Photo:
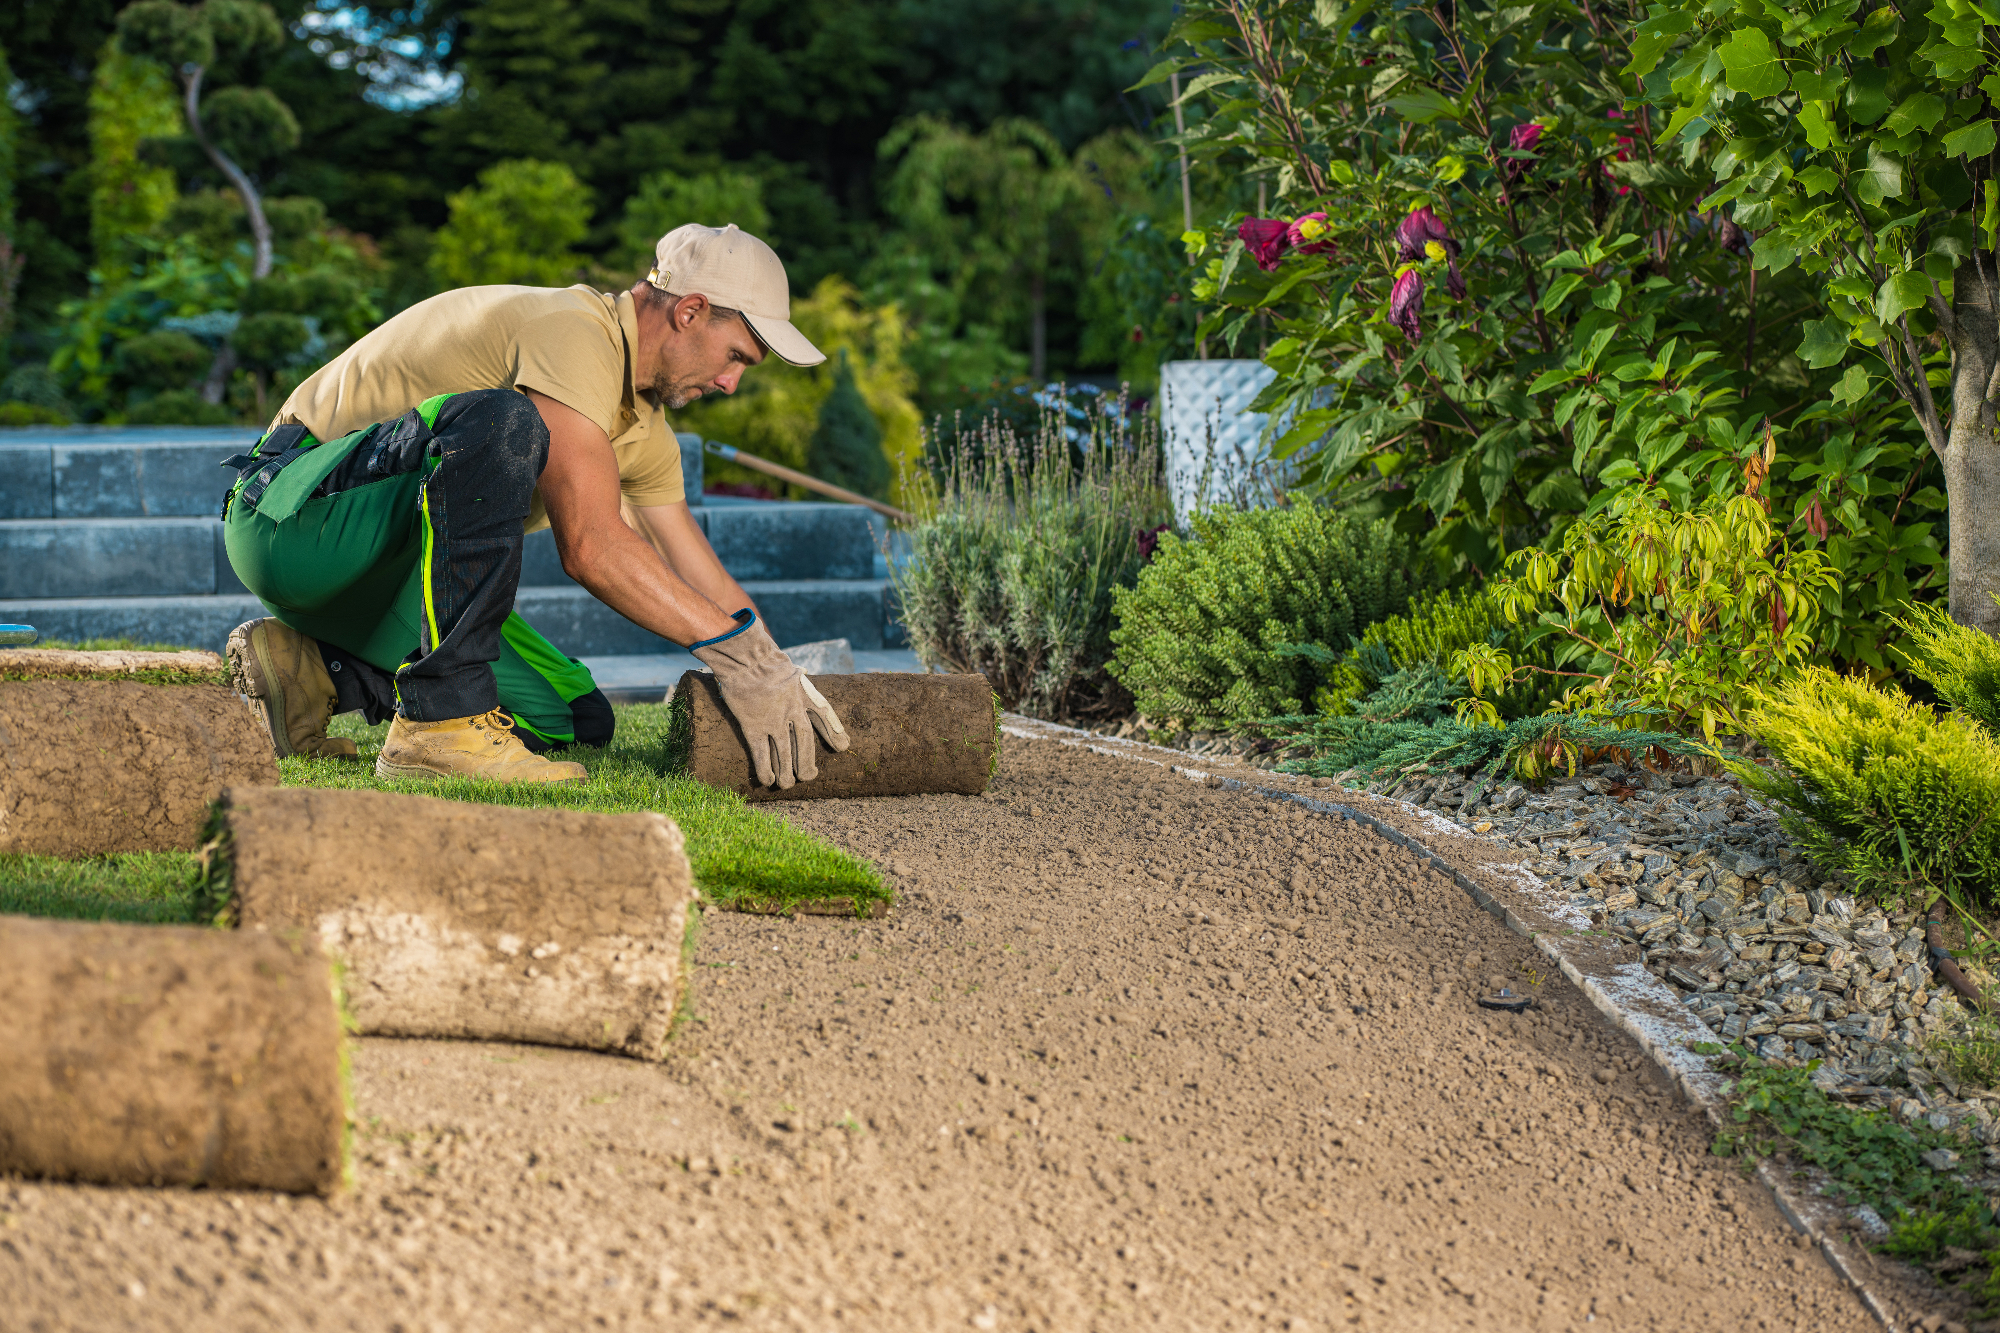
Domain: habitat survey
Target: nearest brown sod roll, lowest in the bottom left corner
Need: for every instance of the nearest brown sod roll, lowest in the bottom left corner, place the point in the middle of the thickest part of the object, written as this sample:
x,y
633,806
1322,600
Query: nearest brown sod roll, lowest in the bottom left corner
x,y
169,1056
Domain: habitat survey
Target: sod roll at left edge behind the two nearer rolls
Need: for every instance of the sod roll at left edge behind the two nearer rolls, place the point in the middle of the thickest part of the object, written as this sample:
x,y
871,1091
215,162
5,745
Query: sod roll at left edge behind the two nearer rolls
x,y
93,768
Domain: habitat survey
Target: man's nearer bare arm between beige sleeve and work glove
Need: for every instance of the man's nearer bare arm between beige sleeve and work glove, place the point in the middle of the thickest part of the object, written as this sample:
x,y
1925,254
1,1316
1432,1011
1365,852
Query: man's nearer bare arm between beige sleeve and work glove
x,y
599,551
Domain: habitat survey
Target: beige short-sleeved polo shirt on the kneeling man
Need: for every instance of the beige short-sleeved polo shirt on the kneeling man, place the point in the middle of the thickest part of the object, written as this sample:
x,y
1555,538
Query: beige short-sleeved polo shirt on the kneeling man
x,y
573,343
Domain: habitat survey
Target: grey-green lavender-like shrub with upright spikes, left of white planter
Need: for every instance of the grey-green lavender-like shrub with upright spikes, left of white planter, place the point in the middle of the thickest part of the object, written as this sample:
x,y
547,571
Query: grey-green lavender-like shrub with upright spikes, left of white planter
x,y
1019,551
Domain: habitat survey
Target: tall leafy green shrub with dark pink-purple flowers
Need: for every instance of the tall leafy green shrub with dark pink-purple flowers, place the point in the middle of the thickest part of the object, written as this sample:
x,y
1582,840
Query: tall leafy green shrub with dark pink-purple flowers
x,y
1513,301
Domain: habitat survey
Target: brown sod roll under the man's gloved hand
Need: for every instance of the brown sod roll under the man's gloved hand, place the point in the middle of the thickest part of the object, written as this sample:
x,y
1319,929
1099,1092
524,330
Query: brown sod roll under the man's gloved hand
x,y
909,736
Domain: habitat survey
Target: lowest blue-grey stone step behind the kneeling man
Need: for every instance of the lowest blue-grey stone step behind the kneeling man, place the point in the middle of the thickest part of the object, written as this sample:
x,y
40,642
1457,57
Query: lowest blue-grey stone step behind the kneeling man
x,y
797,609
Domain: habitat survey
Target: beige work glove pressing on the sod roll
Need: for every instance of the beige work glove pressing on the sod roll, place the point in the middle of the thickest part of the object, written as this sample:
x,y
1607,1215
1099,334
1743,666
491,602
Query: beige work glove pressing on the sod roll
x,y
773,702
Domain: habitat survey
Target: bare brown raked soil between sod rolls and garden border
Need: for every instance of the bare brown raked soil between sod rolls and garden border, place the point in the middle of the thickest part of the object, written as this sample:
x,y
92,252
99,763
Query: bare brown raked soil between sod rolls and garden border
x,y
1131,1054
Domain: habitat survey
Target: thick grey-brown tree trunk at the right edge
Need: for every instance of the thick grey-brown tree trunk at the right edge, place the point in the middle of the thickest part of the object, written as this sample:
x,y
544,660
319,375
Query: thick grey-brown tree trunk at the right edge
x,y
1973,451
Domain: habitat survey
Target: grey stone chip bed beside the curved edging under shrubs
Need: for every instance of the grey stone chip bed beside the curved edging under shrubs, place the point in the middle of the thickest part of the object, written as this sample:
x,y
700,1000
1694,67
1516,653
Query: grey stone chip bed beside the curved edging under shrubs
x,y
1719,904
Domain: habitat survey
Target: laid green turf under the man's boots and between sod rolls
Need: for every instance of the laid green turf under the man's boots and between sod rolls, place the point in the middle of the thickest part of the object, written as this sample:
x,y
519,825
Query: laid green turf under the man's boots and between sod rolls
x,y
739,856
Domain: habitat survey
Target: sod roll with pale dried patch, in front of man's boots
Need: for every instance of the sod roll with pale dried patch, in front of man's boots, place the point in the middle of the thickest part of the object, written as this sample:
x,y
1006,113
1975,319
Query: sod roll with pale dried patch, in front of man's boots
x,y
459,920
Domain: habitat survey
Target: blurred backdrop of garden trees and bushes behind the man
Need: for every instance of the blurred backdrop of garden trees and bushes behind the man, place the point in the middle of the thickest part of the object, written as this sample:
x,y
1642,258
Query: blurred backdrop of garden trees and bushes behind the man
x,y
965,191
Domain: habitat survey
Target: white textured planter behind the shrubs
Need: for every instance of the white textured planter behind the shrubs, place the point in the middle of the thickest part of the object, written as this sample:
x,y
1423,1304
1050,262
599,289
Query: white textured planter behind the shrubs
x,y
1215,447
